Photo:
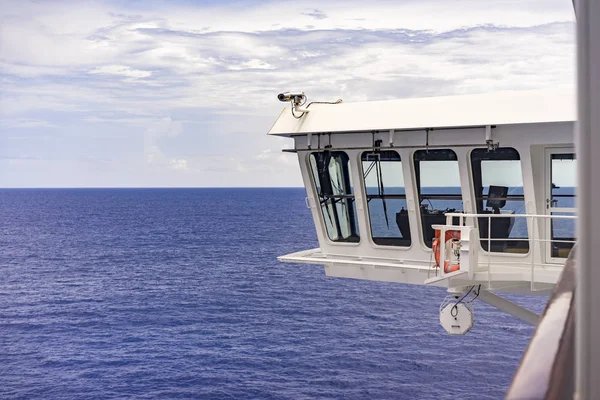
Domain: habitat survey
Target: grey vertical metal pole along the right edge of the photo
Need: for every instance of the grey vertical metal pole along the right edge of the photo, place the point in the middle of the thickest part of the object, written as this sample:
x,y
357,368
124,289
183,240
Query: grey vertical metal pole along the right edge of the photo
x,y
588,198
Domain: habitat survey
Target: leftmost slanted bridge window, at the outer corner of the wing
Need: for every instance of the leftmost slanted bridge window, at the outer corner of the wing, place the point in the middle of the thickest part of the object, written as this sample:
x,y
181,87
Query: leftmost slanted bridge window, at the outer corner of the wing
x,y
331,174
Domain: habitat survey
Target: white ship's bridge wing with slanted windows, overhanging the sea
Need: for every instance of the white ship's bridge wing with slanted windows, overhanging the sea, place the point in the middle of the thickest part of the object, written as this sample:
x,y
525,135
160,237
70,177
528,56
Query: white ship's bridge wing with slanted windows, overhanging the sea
x,y
472,193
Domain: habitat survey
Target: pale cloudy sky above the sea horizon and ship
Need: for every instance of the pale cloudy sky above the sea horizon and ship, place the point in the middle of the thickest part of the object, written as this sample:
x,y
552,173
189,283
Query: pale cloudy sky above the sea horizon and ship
x,y
182,93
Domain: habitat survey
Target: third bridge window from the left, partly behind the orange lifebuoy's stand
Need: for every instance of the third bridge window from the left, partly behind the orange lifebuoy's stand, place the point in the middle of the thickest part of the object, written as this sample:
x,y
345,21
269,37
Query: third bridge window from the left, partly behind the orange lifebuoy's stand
x,y
438,185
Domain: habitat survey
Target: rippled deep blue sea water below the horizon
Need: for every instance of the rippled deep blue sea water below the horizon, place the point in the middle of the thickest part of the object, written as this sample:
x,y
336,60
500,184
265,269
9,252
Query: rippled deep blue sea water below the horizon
x,y
177,293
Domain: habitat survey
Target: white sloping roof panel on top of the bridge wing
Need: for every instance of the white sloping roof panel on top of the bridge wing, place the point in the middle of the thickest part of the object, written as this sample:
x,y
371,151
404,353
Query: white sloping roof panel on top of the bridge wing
x,y
501,108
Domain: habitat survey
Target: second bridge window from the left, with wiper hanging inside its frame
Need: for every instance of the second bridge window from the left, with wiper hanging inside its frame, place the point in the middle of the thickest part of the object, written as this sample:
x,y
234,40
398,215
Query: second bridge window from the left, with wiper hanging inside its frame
x,y
386,199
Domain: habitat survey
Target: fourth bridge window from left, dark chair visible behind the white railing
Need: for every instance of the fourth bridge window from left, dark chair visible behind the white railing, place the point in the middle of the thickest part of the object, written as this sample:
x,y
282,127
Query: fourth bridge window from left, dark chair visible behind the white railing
x,y
498,186
